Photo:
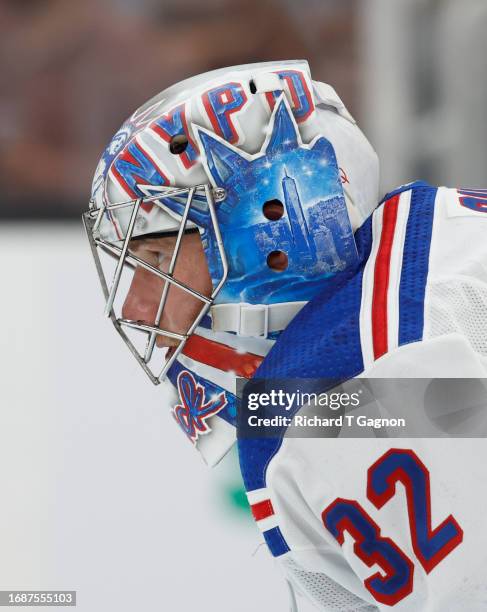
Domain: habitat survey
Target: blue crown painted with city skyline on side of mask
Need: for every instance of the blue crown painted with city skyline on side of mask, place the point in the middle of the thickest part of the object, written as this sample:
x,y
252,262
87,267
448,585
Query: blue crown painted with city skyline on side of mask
x,y
314,231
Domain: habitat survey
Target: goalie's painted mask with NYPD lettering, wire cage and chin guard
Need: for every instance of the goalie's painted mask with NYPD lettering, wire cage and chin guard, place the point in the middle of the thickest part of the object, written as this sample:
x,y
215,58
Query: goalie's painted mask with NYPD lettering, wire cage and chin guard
x,y
264,175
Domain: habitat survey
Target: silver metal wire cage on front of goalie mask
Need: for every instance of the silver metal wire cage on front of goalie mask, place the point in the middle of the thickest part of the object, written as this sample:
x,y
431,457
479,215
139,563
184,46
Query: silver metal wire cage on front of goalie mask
x,y
119,251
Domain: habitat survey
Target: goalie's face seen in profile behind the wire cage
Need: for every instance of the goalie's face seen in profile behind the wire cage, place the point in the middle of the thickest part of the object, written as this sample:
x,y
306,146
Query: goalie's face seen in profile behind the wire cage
x,y
181,308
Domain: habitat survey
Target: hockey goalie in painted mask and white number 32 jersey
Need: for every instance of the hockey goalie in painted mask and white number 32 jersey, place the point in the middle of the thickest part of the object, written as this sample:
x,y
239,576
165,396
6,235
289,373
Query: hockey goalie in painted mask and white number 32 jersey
x,y
240,214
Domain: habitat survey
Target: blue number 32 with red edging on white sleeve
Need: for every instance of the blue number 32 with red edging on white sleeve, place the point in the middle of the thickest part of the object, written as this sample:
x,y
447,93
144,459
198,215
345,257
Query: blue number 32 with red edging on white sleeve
x,y
430,545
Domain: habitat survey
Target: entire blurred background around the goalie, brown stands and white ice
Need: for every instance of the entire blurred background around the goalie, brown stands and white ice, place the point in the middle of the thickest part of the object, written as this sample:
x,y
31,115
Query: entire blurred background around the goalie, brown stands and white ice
x,y
100,492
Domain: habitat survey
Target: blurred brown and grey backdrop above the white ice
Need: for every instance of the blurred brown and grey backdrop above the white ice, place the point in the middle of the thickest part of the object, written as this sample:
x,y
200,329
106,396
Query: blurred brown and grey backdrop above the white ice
x,y
411,71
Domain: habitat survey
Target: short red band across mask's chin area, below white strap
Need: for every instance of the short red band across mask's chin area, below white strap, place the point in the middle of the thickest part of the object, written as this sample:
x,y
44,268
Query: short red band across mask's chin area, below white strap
x,y
221,356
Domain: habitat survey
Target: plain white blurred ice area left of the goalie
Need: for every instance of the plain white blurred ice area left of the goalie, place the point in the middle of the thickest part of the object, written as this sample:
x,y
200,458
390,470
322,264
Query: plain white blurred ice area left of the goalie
x,y
101,493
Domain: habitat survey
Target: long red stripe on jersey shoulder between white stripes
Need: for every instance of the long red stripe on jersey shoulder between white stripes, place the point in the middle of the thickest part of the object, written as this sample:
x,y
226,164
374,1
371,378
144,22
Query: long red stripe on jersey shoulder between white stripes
x,y
381,278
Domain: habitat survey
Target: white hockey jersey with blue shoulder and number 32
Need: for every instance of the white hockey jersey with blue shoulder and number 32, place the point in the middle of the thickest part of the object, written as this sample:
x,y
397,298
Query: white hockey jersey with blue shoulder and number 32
x,y
373,524
